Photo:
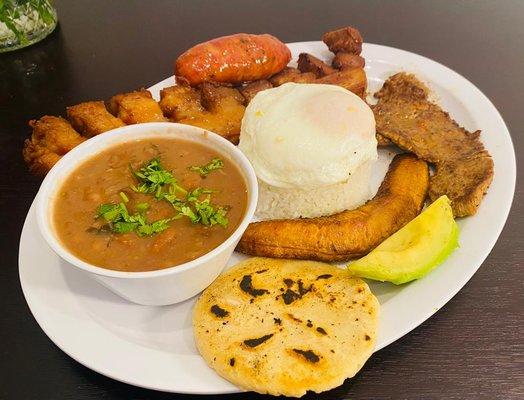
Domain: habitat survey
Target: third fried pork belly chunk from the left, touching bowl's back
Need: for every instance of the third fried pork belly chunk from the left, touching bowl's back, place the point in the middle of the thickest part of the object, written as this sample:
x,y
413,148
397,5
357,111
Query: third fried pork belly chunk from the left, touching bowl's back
x,y
135,107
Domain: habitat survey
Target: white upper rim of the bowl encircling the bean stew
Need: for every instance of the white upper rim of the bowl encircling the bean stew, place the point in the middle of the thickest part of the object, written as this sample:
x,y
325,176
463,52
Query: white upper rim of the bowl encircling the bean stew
x,y
81,153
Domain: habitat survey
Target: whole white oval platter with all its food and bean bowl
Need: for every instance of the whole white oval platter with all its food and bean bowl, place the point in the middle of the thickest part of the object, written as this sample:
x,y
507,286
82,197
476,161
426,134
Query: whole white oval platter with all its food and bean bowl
x,y
346,153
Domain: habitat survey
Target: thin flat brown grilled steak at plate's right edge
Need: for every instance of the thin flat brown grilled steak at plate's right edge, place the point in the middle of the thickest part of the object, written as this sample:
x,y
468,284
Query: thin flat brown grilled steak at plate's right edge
x,y
464,169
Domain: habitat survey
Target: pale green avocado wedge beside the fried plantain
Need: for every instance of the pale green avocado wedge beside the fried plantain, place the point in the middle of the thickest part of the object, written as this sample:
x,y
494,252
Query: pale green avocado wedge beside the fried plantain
x,y
414,250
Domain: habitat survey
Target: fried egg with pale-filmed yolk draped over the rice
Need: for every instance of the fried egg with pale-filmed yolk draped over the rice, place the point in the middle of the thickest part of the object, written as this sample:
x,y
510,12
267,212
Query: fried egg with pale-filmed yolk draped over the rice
x,y
307,135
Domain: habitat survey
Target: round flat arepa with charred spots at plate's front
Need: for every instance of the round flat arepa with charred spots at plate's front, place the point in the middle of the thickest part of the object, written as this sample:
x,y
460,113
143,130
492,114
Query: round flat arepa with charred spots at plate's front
x,y
286,327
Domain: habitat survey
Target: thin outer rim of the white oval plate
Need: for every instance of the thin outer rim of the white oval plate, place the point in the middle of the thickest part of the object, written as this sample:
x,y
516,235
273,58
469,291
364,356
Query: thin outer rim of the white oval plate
x,y
443,300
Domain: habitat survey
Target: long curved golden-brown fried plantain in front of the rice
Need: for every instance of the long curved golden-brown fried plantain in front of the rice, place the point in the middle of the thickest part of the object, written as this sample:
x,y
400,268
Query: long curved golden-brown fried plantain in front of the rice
x,y
351,233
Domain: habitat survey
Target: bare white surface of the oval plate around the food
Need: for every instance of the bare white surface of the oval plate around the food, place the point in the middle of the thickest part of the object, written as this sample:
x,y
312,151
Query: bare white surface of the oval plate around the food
x,y
153,347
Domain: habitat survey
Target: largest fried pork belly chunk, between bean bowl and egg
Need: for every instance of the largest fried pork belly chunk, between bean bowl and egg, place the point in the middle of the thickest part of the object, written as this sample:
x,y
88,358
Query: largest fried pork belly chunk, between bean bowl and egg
x,y
218,109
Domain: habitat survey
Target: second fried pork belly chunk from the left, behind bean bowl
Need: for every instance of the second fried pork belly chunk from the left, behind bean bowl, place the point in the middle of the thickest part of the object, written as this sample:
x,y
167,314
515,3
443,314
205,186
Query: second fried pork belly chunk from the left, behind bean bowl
x,y
92,118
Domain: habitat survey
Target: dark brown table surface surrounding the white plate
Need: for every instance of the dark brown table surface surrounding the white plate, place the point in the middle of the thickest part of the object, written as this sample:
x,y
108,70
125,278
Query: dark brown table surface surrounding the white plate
x,y
471,349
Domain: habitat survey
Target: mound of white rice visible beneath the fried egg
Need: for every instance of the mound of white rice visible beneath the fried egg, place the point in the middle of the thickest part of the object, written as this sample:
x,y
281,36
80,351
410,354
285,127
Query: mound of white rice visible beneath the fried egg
x,y
282,203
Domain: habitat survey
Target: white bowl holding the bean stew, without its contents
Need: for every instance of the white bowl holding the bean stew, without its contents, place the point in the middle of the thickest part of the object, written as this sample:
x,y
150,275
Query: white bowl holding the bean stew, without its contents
x,y
165,286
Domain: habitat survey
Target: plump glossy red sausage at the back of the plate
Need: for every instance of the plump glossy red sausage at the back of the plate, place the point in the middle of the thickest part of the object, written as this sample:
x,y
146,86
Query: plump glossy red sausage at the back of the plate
x,y
233,59
